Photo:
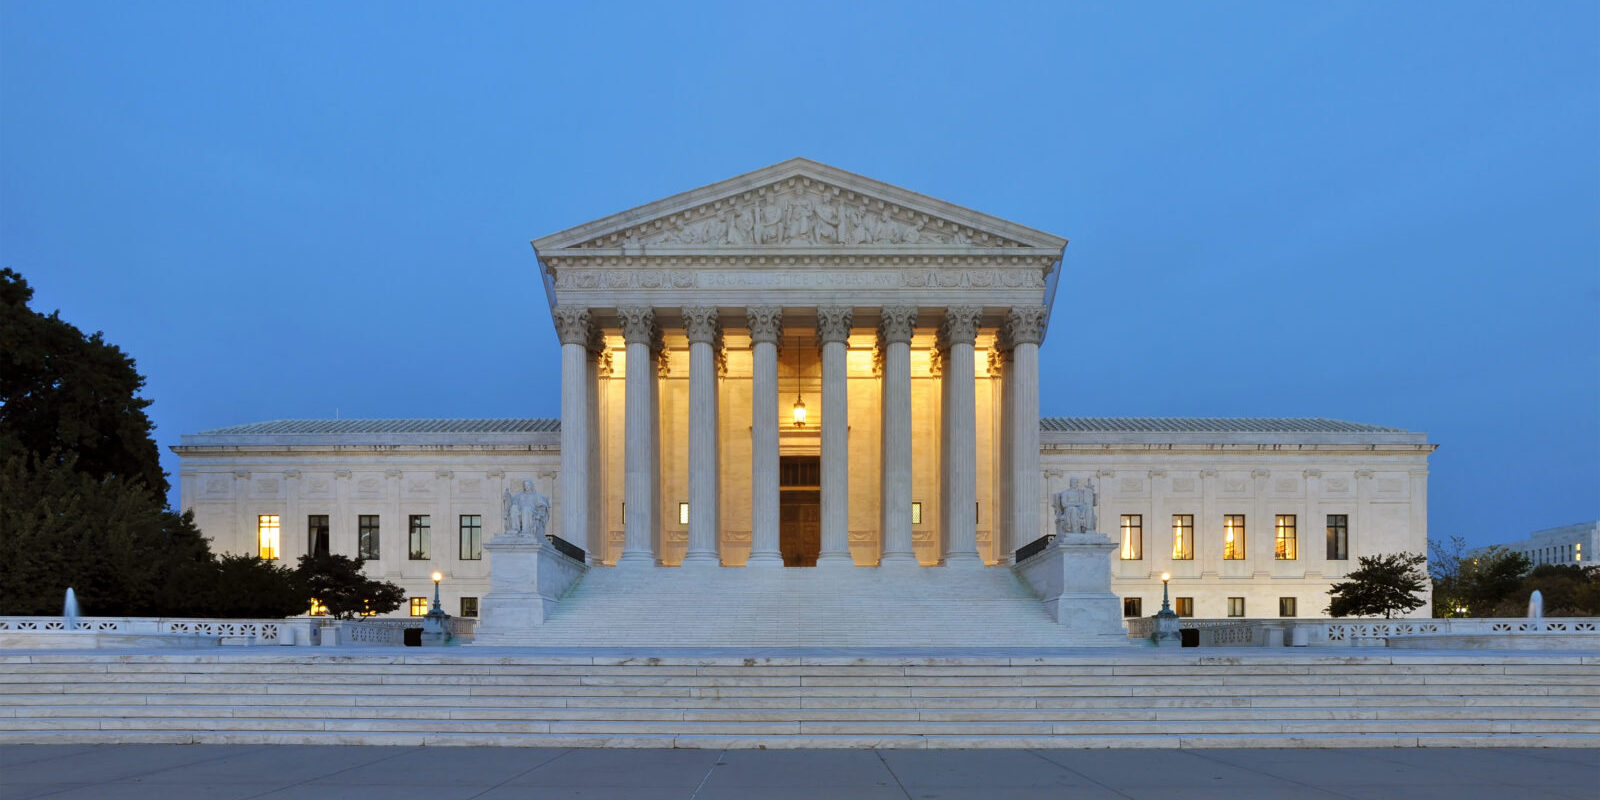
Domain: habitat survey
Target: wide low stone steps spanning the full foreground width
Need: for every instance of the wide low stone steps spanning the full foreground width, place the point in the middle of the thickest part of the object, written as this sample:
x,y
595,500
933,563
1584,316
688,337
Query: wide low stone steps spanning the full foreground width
x,y
572,698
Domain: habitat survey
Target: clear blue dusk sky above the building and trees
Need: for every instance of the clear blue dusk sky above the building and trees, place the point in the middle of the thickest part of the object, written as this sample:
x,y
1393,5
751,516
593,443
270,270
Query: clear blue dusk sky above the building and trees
x,y
1372,212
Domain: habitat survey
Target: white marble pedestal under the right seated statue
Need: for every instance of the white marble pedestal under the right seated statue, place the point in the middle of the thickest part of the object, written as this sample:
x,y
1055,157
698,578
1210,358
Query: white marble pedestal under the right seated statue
x,y
1073,578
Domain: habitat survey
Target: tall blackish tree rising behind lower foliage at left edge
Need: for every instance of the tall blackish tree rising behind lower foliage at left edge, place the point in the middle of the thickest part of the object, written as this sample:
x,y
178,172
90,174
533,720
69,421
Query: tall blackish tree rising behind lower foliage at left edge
x,y
65,396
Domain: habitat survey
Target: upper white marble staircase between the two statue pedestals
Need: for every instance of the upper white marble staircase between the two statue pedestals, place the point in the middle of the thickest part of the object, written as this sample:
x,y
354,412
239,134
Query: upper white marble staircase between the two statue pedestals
x,y
812,607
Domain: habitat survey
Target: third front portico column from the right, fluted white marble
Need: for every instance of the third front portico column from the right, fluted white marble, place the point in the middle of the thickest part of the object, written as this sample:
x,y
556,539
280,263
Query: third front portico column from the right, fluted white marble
x,y
895,330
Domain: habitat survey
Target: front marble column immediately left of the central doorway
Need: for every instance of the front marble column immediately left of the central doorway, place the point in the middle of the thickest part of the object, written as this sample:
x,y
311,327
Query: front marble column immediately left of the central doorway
x,y
767,327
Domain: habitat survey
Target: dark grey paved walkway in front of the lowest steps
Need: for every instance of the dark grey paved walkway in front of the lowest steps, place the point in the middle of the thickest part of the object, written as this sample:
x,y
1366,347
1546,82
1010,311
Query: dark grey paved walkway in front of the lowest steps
x,y
444,774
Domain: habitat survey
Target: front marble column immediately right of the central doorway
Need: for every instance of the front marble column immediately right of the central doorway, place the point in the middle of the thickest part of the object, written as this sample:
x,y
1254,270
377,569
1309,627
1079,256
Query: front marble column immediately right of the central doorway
x,y
833,332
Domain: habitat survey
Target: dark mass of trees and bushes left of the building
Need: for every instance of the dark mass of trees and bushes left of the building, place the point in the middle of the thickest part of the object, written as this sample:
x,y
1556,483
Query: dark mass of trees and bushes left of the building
x,y
84,497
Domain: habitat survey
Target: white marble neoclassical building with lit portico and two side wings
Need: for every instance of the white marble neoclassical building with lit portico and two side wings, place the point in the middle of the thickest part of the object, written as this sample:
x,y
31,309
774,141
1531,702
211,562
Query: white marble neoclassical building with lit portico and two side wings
x,y
807,369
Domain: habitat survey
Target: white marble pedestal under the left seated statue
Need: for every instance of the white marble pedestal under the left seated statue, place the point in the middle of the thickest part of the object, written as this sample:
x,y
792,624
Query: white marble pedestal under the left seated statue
x,y
527,578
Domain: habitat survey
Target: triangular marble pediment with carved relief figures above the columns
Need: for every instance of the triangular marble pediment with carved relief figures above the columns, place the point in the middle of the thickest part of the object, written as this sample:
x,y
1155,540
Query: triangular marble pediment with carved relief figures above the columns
x,y
798,206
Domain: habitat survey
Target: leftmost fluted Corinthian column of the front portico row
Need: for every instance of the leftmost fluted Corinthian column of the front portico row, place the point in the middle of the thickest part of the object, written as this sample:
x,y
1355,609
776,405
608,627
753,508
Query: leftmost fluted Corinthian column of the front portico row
x,y
572,326
